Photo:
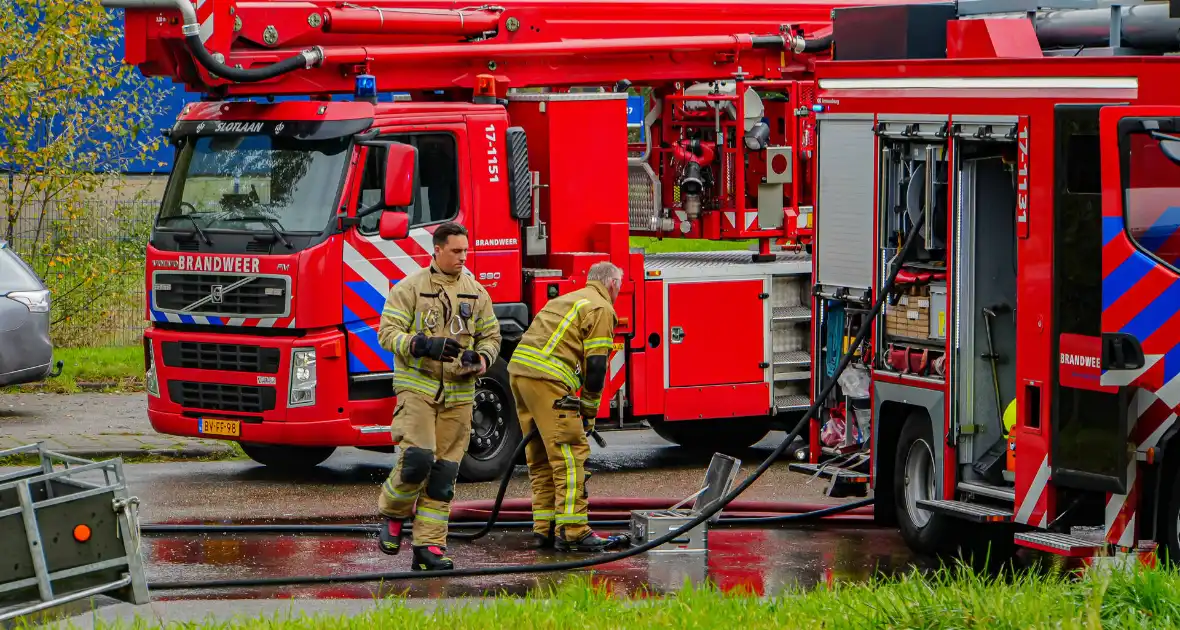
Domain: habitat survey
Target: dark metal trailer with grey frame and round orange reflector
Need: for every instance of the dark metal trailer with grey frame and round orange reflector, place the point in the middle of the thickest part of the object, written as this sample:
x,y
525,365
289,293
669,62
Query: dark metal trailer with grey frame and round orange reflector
x,y
65,537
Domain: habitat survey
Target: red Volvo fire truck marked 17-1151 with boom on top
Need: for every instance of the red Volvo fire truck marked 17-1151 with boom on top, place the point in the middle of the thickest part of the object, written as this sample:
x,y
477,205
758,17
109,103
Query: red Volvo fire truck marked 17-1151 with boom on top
x,y
278,238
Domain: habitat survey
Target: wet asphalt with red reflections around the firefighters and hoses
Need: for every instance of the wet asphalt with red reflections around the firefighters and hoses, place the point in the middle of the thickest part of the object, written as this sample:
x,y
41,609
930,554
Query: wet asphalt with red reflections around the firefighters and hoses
x,y
345,490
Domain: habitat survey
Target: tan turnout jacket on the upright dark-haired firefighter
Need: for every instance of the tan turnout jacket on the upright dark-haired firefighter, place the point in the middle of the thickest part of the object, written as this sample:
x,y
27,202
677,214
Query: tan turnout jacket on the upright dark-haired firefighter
x,y
438,305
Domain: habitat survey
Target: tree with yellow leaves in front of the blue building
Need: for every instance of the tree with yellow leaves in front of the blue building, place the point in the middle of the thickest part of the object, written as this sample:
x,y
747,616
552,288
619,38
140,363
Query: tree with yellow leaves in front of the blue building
x,y
73,117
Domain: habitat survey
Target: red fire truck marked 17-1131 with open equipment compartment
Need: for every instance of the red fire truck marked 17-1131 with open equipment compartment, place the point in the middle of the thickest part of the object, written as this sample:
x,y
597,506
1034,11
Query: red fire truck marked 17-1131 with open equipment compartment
x,y
1024,377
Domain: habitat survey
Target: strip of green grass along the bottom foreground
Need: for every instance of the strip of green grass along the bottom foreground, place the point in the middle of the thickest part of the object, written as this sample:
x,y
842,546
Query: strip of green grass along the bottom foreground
x,y
950,599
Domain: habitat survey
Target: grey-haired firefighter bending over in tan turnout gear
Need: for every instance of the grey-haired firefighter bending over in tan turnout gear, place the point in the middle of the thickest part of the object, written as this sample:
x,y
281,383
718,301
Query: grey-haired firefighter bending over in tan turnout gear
x,y
566,350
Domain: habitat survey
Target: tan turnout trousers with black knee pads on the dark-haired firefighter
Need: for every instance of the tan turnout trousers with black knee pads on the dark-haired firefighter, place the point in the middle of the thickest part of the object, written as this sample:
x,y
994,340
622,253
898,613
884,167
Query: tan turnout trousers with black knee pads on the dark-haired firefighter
x,y
434,441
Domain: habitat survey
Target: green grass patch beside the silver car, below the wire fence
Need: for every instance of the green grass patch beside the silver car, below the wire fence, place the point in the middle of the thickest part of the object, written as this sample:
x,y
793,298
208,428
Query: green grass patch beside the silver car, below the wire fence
x,y
117,369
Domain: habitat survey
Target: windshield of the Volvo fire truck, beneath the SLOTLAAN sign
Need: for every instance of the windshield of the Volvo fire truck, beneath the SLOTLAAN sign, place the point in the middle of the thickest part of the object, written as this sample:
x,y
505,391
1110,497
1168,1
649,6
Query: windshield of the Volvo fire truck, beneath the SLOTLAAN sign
x,y
254,182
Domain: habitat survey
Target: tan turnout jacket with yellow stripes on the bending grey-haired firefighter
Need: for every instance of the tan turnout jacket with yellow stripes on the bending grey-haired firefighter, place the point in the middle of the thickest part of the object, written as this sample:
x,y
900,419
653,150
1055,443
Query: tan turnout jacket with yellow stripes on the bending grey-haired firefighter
x,y
567,332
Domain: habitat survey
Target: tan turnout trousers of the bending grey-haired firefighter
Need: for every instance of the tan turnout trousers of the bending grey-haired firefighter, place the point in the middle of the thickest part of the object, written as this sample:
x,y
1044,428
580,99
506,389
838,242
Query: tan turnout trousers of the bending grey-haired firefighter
x,y
556,458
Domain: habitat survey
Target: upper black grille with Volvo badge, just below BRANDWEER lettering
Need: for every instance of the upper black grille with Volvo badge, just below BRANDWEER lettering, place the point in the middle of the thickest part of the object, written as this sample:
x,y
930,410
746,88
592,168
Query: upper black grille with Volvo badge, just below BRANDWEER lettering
x,y
222,294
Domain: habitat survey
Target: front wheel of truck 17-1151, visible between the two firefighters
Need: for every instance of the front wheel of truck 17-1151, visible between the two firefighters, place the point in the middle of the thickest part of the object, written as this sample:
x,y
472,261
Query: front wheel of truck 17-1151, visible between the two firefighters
x,y
495,429
